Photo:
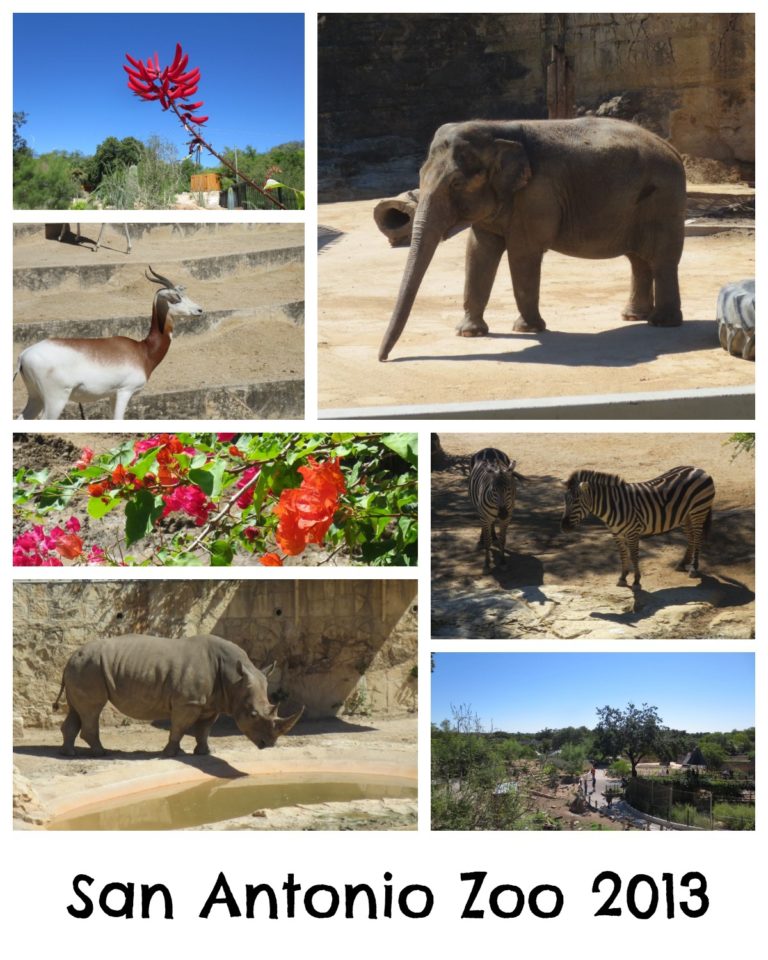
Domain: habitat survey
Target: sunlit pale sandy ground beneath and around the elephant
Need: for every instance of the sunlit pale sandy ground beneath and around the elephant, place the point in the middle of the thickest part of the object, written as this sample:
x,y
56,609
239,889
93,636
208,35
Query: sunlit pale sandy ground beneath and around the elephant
x,y
587,348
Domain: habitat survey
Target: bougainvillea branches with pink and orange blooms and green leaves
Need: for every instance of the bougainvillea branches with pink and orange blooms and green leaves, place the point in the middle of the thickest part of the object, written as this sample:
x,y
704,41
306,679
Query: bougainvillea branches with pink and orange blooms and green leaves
x,y
181,499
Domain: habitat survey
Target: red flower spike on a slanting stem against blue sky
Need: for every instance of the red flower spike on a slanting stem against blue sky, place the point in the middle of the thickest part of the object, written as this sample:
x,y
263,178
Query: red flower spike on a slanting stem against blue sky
x,y
173,86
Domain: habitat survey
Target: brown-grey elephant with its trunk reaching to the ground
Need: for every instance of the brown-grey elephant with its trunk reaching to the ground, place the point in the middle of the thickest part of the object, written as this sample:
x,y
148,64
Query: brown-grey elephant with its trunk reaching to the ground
x,y
593,188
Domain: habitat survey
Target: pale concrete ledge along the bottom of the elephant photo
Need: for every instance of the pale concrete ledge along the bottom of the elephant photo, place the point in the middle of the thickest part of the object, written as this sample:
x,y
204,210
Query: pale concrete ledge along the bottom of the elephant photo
x,y
707,403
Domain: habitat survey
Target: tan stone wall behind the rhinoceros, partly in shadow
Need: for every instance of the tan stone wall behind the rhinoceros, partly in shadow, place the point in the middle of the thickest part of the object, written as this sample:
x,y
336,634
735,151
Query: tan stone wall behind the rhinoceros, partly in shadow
x,y
340,645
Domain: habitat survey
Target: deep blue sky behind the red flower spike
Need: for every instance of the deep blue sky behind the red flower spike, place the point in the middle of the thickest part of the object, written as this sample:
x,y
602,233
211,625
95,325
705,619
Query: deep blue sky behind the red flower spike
x,y
252,77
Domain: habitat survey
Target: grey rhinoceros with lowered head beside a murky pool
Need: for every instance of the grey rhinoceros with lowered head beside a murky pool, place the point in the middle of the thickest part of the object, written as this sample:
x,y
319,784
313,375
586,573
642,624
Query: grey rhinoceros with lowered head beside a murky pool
x,y
188,681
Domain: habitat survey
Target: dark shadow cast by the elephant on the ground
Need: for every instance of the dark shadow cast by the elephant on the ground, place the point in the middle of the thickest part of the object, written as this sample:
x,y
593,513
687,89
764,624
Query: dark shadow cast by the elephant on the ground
x,y
628,345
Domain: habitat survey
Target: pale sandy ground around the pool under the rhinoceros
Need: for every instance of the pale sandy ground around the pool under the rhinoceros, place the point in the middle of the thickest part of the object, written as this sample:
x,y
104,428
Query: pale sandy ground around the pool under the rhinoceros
x,y
47,784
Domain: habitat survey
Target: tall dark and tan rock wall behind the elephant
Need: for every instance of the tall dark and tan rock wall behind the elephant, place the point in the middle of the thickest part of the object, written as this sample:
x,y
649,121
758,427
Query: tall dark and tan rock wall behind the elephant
x,y
387,81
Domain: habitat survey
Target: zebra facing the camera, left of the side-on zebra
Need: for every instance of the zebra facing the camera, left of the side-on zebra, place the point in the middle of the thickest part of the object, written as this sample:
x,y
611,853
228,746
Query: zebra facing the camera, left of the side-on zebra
x,y
492,491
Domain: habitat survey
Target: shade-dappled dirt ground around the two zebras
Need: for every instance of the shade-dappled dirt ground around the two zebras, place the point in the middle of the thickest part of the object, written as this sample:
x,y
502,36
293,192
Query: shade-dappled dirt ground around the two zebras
x,y
558,585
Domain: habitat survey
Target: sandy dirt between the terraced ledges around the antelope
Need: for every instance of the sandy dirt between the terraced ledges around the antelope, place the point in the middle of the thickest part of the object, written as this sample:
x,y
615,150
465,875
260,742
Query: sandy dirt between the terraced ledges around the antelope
x,y
256,343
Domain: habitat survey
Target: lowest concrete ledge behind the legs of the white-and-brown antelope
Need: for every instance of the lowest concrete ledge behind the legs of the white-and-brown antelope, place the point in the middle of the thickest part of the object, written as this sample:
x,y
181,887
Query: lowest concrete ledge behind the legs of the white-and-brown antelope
x,y
273,400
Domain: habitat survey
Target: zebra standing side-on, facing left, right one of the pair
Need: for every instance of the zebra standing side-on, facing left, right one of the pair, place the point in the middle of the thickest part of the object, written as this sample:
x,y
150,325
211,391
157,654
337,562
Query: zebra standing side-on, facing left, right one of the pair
x,y
681,497
